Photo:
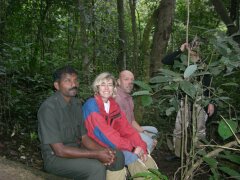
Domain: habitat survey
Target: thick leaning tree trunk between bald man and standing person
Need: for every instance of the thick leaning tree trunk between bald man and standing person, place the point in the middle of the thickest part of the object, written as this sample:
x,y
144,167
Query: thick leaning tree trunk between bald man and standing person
x,y
161,35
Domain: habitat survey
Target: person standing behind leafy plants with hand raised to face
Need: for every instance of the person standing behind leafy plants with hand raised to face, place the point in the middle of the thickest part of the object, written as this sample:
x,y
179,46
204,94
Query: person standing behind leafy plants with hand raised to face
x,y
203,113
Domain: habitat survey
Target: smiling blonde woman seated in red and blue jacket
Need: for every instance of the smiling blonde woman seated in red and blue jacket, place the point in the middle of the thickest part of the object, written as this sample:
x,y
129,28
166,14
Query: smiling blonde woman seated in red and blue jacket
x,y
107,125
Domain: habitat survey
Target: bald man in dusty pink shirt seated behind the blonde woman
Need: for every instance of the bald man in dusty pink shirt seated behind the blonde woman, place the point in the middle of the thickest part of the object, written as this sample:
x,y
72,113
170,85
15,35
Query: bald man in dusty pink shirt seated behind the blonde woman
x,y
125,101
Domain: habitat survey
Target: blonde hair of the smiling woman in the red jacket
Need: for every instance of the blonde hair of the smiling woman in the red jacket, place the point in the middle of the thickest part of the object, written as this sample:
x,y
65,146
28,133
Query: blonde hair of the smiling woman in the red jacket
x,y
100,78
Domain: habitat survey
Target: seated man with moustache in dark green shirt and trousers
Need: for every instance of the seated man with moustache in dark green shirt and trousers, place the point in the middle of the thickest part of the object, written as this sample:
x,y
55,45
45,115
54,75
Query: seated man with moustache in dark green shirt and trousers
x,y
66,148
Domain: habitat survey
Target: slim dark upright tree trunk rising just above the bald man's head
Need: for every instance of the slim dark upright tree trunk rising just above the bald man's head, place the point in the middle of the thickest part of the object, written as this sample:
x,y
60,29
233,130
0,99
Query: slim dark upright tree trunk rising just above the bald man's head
x,y
121,59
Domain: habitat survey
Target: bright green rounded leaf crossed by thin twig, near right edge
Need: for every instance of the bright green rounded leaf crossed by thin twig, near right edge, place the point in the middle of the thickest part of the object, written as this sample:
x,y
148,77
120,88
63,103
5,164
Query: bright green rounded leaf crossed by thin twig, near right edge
x,y
224,129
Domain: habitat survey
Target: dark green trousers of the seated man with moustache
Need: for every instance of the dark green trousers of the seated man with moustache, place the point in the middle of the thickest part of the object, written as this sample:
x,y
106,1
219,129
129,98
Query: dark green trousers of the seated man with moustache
x,y
83,168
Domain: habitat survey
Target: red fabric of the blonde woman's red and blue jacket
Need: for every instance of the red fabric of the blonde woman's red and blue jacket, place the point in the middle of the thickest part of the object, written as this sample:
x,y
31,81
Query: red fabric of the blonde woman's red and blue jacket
x,y
114,126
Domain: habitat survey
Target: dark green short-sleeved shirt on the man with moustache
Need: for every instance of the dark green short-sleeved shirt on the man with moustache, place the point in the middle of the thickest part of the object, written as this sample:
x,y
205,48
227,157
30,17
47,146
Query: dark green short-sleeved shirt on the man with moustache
x,y
59,122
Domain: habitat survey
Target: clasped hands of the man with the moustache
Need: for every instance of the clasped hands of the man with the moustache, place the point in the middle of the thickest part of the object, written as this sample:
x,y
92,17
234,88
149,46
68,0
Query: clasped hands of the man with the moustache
x,y
106,156
